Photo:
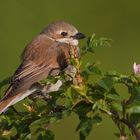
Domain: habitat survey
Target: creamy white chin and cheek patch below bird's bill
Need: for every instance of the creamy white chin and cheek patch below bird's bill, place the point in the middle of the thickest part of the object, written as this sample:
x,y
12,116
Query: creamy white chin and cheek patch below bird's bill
x,y
70,41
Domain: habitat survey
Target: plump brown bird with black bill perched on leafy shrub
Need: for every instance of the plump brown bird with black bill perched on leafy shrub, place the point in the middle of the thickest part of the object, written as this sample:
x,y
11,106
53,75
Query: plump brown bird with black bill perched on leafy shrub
x,y
48,51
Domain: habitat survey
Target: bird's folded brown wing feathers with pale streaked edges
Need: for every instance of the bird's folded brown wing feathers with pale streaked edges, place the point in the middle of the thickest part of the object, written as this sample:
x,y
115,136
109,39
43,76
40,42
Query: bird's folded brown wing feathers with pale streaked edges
x,y
25,76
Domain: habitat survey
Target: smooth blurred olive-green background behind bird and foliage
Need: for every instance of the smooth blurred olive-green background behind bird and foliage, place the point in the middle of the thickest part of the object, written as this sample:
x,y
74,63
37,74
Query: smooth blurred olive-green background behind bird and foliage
x,y
22,20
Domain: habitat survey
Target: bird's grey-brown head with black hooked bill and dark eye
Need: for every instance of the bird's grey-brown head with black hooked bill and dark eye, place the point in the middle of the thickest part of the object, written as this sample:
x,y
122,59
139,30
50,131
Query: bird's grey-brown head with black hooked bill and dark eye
x,y
63,32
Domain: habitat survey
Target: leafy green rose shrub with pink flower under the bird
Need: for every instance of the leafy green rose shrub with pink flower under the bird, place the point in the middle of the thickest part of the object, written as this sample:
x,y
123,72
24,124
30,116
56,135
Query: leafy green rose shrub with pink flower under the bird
x,y
79,94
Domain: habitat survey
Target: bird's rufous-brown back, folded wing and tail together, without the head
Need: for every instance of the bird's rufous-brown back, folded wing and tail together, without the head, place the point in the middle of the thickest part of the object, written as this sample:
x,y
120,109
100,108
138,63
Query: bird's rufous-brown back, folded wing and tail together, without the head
x,y
39,58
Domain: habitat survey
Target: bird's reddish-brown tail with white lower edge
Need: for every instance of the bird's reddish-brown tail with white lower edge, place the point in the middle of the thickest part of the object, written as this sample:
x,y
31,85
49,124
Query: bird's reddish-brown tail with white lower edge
x,y
7,102
